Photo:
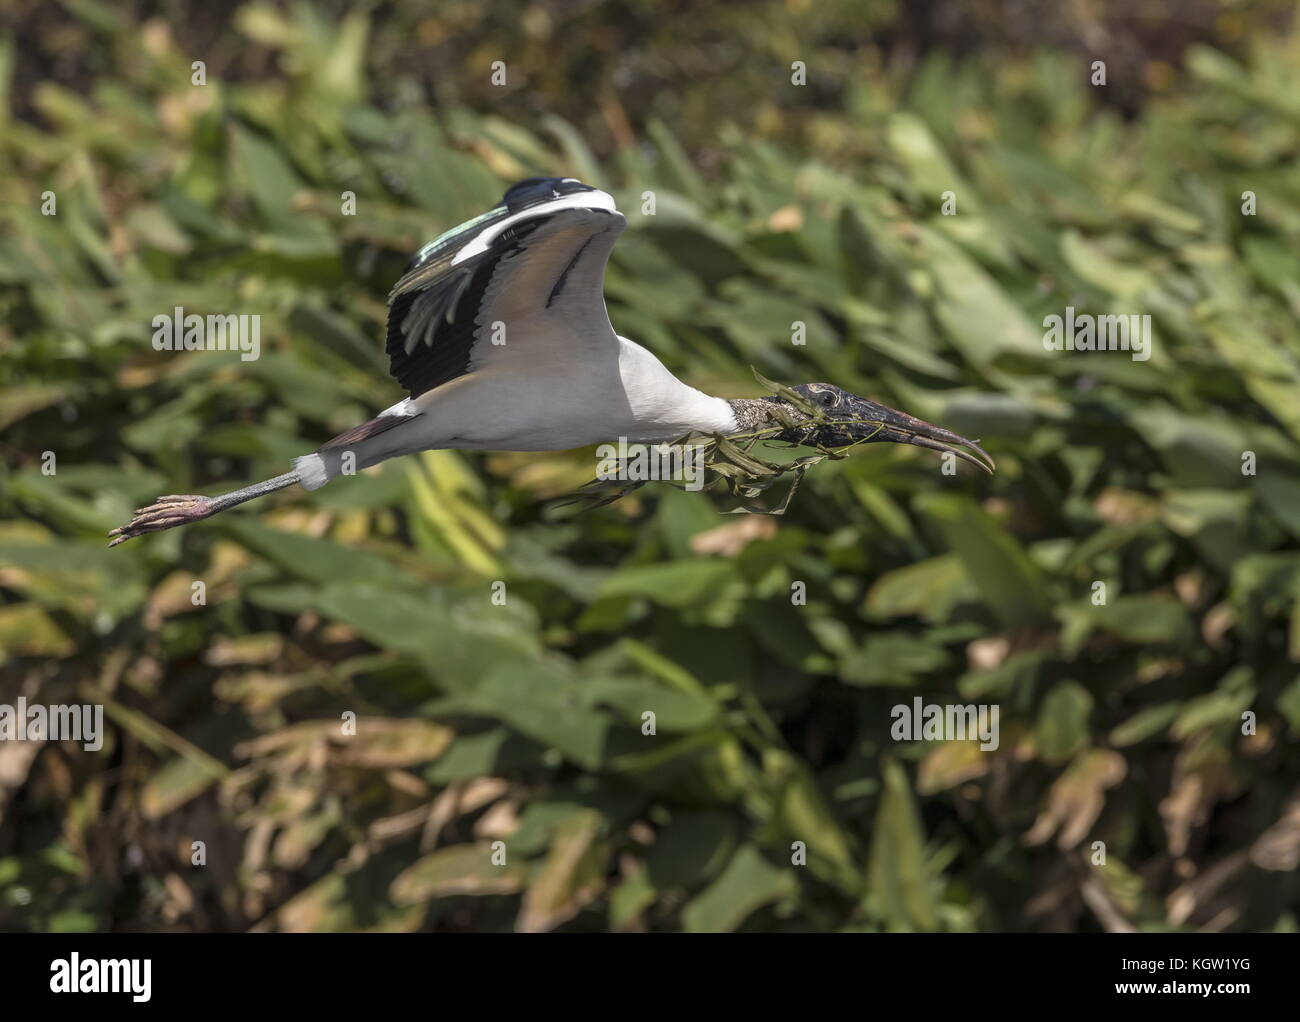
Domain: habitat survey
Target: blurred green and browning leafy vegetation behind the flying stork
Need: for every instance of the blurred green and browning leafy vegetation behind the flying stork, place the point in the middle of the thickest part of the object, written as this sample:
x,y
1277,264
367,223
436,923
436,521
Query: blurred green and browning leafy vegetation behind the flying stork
x,y
777,203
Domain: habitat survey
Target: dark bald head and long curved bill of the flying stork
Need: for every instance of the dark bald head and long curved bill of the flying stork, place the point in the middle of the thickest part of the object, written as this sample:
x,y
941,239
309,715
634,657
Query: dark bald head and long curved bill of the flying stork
x,y
824,415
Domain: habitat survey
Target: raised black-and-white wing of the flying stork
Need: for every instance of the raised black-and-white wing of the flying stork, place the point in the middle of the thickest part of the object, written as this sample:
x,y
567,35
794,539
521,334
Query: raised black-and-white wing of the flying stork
x,y
544,248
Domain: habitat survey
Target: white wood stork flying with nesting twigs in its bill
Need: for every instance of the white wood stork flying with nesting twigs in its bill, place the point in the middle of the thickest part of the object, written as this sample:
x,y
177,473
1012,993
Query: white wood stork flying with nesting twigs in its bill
x,y
500,334
